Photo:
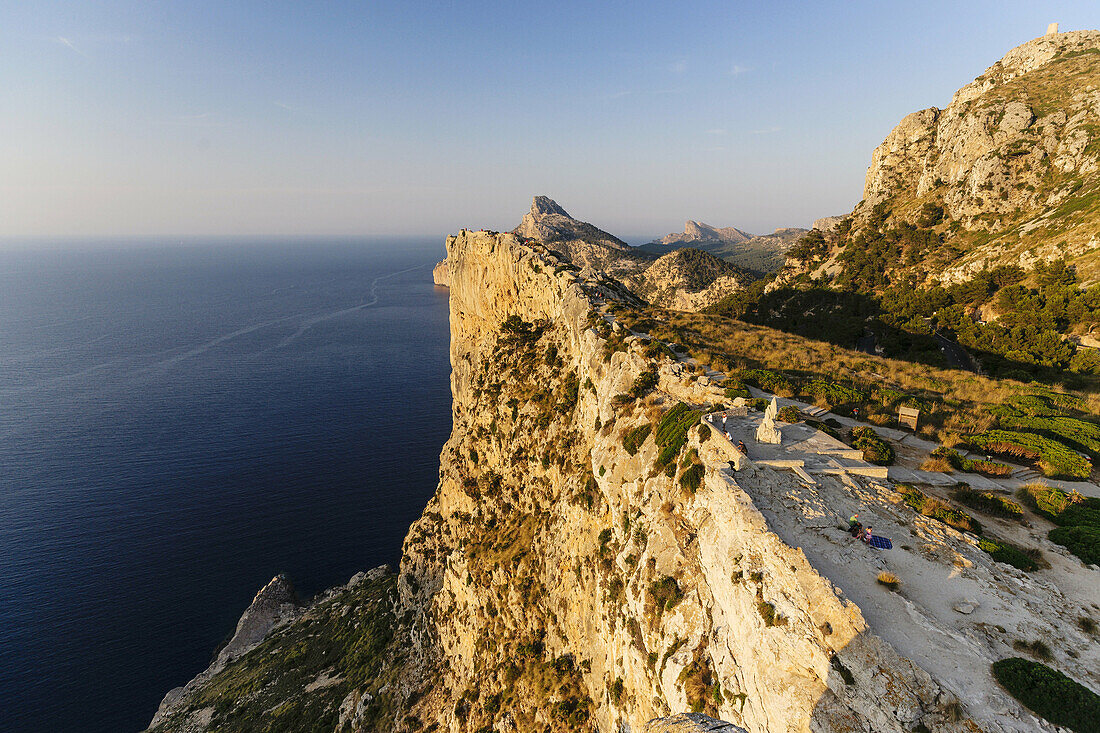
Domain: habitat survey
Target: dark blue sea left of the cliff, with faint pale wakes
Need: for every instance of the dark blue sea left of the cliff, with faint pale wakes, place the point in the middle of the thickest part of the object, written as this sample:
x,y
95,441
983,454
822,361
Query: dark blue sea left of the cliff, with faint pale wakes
x,y
180,422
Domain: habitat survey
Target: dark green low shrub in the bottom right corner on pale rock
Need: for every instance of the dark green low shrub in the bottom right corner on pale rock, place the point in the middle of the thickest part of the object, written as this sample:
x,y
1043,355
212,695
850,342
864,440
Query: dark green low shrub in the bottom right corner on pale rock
x,y
1050,694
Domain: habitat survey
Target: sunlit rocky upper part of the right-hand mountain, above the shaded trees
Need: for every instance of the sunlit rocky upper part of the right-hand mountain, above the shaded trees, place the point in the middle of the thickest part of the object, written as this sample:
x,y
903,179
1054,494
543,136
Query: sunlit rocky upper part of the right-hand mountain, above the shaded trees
x,y
1014,165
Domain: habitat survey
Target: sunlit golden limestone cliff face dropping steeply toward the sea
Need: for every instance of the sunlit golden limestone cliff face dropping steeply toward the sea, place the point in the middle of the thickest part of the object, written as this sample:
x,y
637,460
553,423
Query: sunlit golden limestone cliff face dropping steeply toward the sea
x,y
549,541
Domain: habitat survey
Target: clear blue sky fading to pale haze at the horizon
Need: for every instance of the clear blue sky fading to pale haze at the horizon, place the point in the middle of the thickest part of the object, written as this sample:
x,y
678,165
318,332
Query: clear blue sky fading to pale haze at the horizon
x,y
421,118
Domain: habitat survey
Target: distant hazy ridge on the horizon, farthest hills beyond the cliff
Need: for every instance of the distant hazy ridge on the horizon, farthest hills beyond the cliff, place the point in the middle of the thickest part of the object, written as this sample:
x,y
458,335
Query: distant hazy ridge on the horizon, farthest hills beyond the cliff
x,y
754,254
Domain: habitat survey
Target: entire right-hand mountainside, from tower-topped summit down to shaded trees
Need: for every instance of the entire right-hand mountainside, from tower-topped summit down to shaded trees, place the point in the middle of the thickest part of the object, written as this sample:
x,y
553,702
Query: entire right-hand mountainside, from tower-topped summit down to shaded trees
x,y
980,227
